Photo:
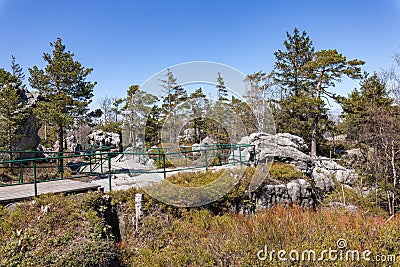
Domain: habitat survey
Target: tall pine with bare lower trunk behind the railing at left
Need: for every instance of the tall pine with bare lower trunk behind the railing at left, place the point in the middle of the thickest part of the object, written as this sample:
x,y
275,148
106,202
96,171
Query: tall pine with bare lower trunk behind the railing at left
x,y
63,84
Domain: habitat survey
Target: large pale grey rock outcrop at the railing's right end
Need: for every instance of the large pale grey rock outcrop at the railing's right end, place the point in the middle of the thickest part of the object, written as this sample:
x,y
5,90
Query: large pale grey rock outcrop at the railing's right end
x,y
291,149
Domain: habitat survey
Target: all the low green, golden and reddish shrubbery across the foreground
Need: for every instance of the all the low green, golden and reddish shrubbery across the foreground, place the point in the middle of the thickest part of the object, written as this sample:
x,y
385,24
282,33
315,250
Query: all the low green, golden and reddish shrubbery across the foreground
x,y
83,230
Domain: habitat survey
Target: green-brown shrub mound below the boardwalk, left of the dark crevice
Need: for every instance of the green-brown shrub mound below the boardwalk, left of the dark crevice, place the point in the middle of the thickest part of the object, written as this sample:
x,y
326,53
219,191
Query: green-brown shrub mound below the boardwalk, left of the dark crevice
x,y
57,231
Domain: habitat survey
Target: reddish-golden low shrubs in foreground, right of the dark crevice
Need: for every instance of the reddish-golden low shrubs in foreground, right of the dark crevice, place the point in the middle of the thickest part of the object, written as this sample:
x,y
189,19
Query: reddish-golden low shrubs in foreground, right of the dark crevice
x,y
198,238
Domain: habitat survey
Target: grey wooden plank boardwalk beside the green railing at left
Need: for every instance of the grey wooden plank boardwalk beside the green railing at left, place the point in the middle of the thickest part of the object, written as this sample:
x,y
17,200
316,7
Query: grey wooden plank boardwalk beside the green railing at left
x,y
25,191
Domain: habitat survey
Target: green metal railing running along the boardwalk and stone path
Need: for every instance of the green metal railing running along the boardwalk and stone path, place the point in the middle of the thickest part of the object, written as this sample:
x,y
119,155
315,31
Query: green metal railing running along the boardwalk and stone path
x,y
91,160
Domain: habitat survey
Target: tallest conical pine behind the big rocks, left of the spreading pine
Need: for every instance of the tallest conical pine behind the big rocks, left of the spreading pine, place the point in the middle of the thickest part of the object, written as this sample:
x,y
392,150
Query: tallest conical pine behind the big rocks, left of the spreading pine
x,y
293,107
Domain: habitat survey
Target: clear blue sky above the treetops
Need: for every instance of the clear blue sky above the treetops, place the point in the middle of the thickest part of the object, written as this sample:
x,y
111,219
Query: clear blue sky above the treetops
x,y
128,41
